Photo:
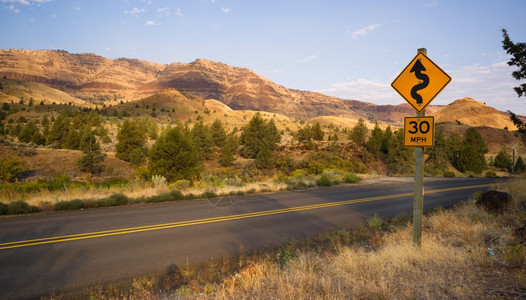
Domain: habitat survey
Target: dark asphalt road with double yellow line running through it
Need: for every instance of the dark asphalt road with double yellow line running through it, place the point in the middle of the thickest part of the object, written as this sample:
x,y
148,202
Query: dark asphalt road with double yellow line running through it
x,y
64,251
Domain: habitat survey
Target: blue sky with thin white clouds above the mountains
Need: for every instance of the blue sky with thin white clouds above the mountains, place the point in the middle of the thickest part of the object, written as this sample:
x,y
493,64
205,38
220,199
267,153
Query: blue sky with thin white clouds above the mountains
x,y
349,49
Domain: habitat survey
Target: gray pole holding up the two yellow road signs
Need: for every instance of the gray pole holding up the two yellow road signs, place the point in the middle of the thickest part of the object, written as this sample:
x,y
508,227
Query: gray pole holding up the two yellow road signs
x,y
418,201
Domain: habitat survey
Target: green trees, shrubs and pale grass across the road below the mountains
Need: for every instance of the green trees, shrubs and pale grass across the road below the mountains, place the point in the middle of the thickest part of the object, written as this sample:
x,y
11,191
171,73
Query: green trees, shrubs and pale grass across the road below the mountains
x,y
128,152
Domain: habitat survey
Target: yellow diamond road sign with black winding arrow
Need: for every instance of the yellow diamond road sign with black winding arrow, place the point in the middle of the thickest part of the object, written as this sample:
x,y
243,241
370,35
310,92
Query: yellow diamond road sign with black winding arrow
x,y
420,82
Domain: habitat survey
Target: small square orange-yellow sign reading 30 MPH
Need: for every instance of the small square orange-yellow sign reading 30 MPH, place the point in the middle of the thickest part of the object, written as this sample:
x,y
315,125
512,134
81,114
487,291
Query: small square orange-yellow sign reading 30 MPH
x,y
419,131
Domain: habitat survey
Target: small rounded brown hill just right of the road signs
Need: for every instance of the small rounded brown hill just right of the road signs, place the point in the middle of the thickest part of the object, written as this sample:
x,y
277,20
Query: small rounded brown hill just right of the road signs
x,y
473,113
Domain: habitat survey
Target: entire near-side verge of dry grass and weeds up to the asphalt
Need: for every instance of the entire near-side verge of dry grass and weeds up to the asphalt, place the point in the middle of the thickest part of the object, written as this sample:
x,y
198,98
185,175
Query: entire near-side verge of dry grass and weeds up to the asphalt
x,y
467,252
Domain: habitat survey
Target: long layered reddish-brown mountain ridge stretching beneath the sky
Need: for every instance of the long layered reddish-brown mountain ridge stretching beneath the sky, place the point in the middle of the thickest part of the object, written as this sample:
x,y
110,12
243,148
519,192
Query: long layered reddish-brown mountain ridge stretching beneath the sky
x,y
96,79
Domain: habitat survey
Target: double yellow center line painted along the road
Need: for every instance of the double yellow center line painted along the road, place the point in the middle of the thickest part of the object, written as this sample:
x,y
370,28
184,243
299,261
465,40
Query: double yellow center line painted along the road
x,y
91,235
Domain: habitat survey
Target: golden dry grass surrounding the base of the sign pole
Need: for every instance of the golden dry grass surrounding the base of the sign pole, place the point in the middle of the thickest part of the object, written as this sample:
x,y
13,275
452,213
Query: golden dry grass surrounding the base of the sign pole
x,y
453,262
